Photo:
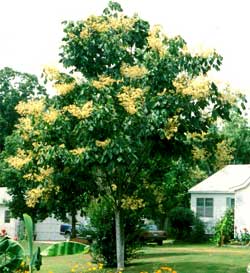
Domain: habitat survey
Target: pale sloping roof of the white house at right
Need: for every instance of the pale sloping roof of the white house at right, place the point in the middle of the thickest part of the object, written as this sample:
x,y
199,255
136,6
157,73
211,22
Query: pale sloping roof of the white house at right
x,y
227,180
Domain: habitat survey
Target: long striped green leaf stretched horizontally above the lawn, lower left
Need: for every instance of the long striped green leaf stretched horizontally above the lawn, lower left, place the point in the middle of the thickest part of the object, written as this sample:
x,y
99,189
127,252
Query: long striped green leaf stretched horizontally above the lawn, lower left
x,y
65,248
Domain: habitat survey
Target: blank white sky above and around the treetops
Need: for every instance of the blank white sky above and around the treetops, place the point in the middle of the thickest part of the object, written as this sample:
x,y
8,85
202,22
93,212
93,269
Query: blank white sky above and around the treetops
x,y
31,30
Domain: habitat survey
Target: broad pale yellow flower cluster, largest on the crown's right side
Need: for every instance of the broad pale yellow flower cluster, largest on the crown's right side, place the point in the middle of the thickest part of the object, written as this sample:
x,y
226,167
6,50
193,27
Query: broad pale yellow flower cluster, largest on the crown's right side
x,y
198,87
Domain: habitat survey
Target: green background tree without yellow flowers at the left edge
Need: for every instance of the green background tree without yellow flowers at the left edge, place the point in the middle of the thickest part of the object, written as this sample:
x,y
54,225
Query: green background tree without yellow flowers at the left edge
x,y
14,87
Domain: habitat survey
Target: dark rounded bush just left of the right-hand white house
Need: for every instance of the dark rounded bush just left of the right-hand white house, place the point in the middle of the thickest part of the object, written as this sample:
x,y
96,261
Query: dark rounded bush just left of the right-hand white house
x,y
184,226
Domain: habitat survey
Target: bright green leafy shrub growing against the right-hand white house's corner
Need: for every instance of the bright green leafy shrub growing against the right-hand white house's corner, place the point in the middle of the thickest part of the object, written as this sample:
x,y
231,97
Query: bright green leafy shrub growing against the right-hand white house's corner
x,y
224,228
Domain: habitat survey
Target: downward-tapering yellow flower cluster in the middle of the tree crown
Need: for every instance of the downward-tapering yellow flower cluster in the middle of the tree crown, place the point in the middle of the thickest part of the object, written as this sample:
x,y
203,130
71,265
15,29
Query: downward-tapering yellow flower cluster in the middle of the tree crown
x,y
128,98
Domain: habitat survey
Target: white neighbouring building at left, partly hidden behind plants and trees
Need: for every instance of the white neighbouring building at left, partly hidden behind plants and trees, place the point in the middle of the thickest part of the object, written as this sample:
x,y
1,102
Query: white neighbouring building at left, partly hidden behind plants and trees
x,y
47,230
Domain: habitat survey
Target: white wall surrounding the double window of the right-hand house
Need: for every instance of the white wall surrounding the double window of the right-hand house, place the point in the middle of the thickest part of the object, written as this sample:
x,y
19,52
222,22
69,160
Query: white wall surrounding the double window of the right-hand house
x,y
219,208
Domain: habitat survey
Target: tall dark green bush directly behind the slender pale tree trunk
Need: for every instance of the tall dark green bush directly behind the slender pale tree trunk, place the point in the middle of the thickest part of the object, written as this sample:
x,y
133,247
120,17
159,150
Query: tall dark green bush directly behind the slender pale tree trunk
x,y
103,248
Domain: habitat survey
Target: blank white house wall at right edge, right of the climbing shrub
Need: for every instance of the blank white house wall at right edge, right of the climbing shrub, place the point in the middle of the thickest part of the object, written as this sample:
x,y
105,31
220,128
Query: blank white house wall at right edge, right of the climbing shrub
x,y
242,209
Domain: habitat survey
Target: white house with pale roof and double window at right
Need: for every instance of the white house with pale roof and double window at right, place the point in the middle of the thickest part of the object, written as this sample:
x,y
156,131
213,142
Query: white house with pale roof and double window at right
x,y
227,188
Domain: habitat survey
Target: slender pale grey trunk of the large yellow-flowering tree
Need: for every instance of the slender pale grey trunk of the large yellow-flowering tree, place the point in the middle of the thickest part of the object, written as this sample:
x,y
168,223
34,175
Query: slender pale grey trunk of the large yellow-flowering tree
x,y
120,247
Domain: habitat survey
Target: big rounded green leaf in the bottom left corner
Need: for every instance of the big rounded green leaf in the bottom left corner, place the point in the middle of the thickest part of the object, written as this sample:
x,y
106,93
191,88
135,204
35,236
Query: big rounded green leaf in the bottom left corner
x,y
11,254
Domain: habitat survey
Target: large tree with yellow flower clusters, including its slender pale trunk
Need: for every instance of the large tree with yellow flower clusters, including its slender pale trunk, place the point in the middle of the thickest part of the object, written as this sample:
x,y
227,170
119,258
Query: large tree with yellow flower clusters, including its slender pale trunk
x,y
138,89
